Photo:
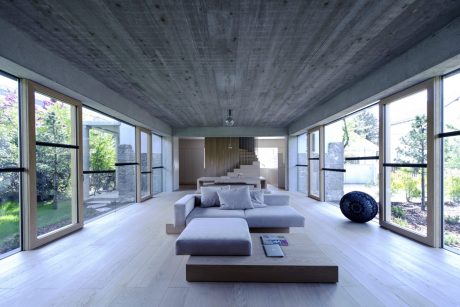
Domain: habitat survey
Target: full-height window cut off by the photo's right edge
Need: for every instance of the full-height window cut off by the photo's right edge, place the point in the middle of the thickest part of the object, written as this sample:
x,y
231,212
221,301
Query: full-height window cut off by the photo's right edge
x,y
451,161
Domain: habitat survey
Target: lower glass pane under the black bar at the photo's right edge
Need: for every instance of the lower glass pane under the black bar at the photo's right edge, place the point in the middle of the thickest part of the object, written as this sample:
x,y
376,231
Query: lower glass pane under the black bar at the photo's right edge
x,y
451,180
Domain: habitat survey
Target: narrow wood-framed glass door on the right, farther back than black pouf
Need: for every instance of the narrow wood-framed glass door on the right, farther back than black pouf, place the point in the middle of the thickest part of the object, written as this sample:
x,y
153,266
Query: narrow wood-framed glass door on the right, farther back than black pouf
x,y
314,163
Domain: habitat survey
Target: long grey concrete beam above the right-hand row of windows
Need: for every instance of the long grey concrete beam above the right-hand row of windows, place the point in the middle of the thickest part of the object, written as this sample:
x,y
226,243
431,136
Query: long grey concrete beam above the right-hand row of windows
x,y
436,55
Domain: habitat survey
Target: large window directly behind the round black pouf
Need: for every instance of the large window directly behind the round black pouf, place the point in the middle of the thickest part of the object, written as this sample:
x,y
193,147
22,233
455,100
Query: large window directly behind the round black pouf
x,y
351,155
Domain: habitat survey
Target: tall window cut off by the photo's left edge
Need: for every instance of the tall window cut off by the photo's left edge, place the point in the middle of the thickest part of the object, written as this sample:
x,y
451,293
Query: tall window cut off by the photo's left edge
x,y
10,170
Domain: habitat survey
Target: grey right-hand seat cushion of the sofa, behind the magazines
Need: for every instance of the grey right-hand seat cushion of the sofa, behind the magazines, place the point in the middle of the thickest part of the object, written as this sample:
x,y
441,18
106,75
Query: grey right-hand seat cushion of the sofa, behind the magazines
x,y
274,216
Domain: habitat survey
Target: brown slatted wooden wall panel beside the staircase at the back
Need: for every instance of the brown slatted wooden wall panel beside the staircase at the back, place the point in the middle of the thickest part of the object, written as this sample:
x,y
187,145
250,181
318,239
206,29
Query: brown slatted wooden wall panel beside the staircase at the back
x,y
219,158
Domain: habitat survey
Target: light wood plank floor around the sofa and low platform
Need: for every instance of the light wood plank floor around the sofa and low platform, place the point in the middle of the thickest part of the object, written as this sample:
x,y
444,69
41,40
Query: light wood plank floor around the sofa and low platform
x,y
126,259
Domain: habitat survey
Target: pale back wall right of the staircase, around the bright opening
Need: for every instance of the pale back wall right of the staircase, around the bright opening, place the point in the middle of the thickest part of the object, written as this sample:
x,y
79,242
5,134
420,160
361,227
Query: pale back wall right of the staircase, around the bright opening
x,y
278,176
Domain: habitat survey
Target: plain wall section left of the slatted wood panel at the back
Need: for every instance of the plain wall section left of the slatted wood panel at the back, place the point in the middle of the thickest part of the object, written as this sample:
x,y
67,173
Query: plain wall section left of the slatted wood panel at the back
x,y
191,160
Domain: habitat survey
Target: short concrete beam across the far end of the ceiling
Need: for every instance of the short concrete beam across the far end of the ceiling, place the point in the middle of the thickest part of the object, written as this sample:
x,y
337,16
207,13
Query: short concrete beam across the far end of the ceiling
x,y
229,131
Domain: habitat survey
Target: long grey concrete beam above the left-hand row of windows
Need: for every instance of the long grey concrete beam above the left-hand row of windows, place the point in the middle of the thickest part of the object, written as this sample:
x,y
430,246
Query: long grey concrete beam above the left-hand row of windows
x,y
23,57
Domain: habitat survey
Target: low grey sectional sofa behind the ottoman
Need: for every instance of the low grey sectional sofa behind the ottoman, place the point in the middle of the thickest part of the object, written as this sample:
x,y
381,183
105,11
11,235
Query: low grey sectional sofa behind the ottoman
x,y
277,213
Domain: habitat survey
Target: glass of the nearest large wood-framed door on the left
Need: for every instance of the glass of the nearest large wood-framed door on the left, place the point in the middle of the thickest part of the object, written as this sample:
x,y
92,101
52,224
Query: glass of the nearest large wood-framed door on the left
x,y
56,162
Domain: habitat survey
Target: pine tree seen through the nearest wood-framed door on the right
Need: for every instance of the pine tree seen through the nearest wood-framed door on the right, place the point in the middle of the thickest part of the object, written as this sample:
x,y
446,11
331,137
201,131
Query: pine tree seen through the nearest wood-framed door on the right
x,y
413,149
